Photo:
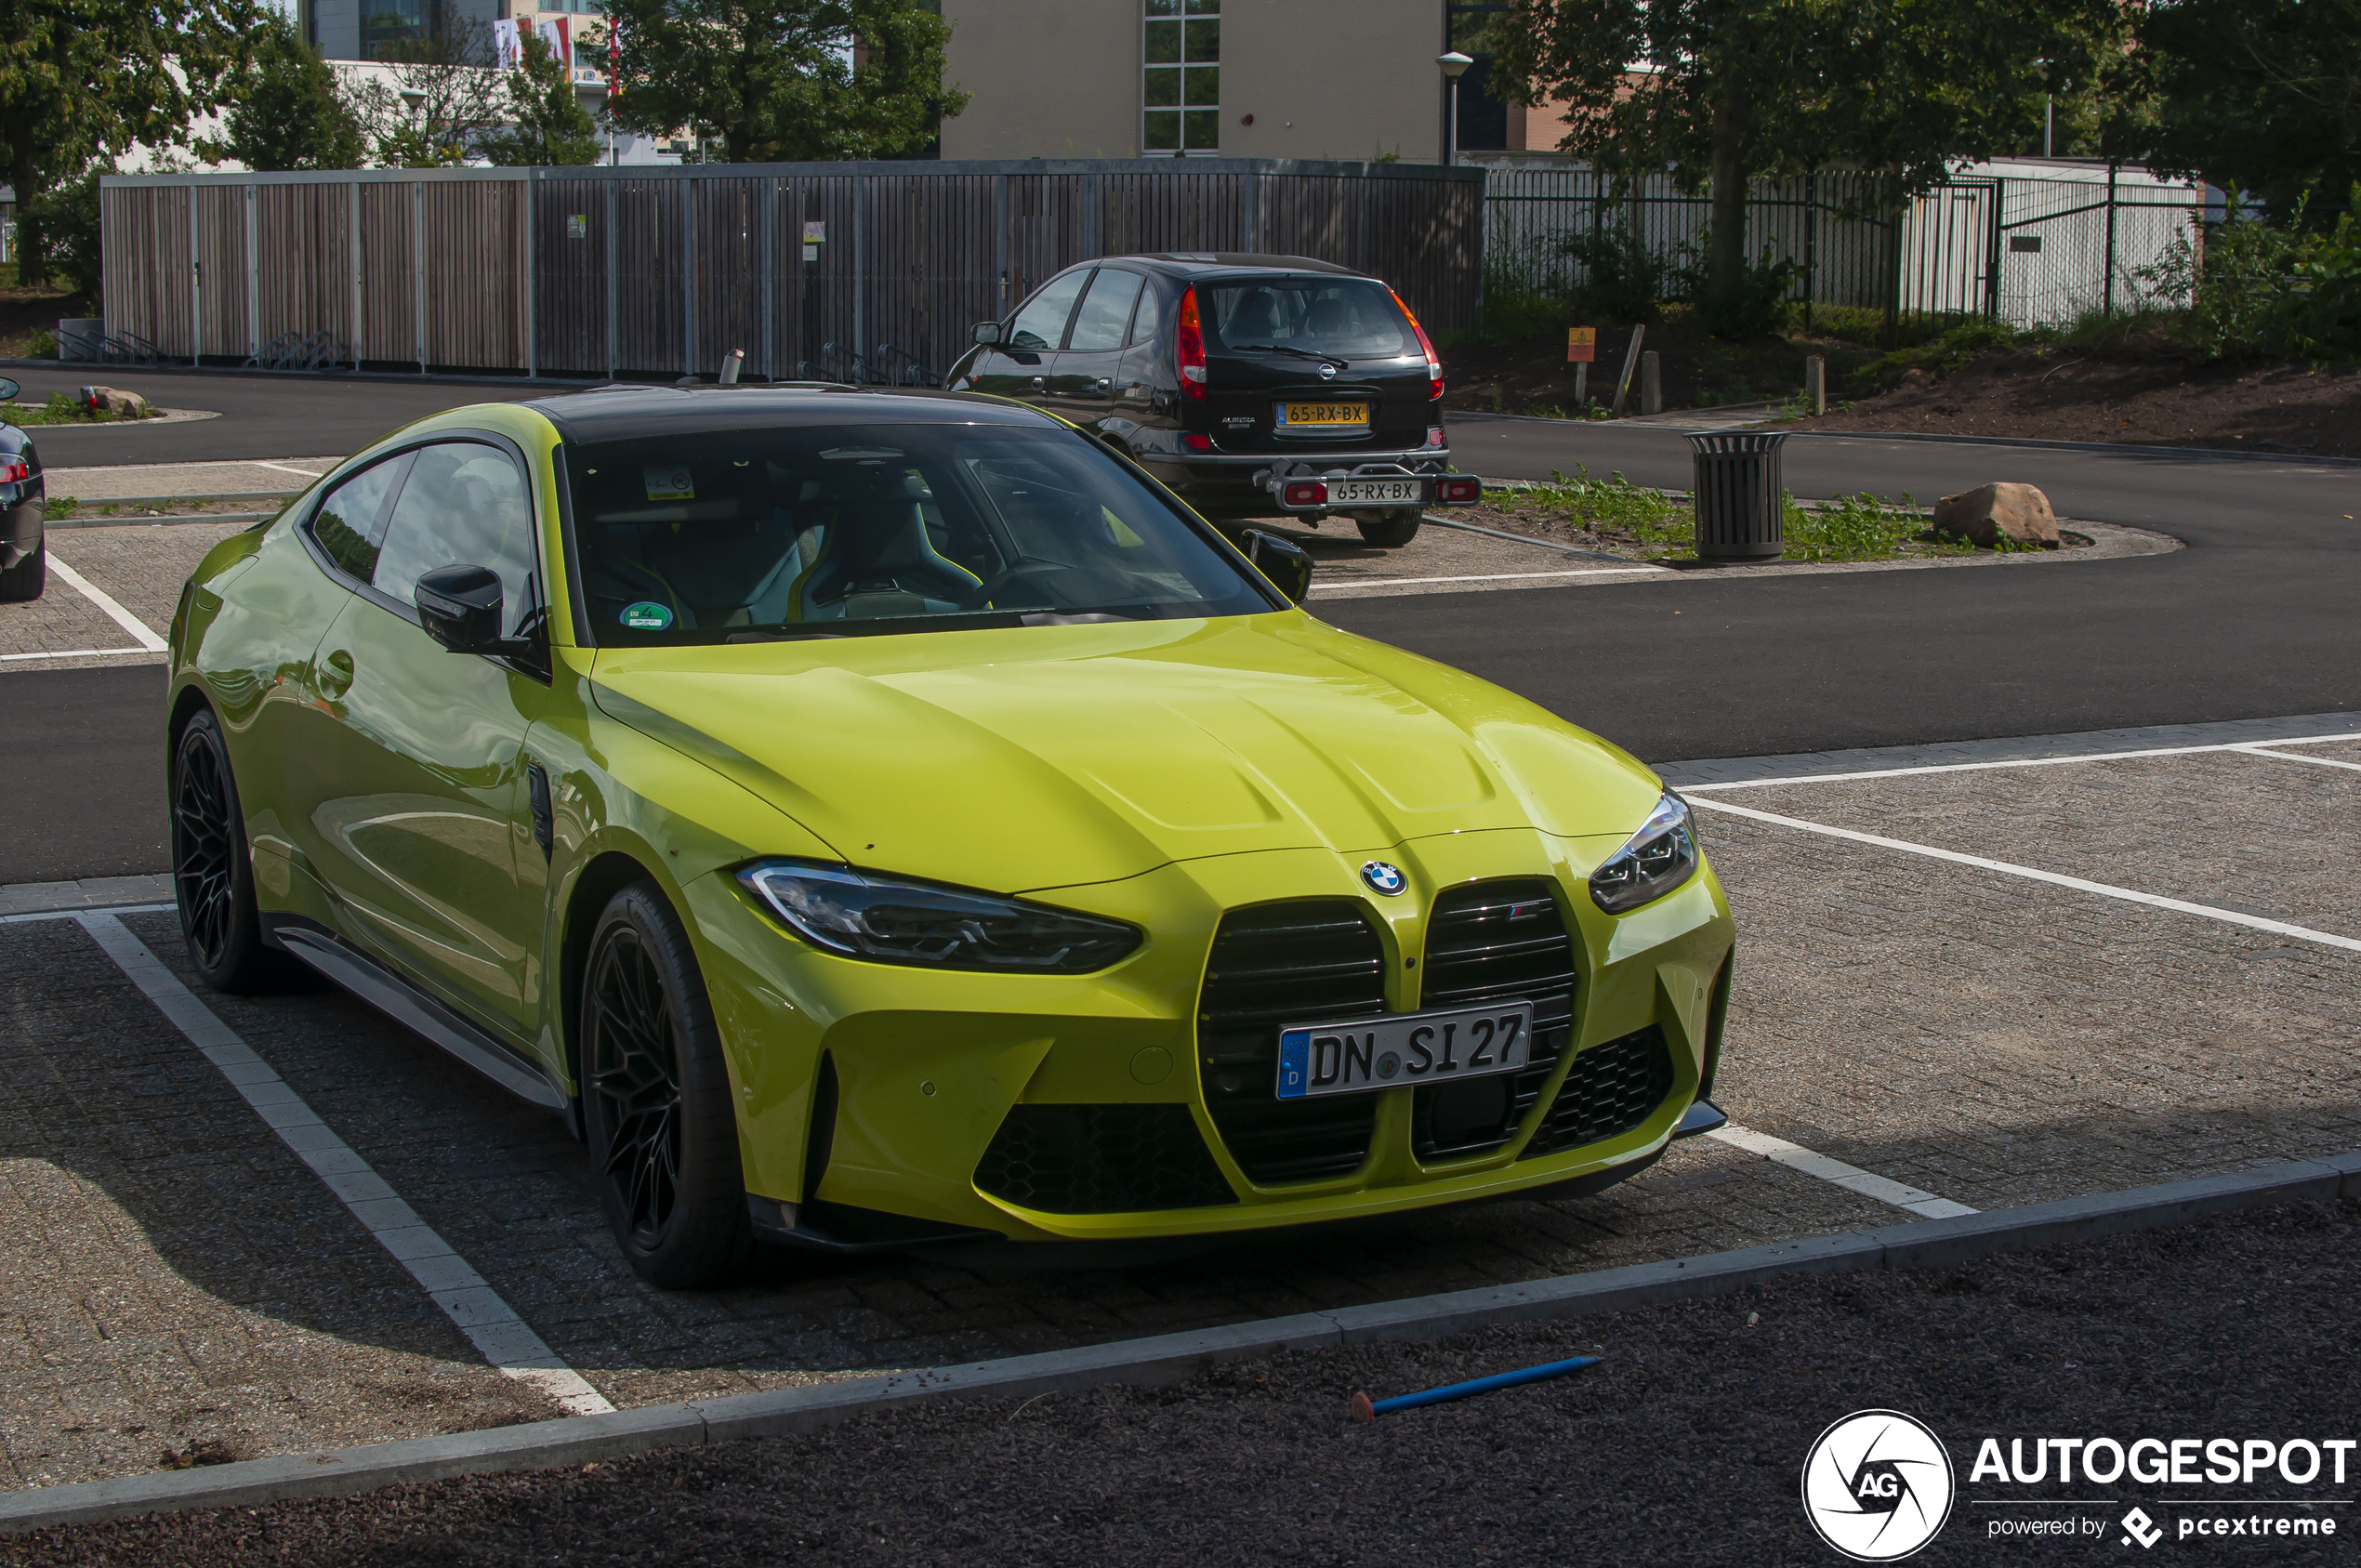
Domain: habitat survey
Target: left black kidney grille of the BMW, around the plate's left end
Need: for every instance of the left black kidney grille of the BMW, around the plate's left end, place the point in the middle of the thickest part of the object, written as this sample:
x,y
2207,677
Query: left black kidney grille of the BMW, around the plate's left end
x,y
1276,965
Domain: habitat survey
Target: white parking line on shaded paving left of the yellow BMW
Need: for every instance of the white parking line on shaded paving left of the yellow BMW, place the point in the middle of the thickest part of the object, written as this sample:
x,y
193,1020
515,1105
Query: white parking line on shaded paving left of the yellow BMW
x,y
457,1288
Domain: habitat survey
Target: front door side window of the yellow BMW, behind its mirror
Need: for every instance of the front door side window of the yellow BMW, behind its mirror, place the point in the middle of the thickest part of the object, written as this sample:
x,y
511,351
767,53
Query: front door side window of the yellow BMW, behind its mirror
x,y
462,507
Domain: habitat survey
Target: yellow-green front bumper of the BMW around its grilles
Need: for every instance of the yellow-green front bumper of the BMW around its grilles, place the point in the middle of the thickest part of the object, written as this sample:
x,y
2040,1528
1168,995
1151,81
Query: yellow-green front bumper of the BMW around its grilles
x,y
896,1092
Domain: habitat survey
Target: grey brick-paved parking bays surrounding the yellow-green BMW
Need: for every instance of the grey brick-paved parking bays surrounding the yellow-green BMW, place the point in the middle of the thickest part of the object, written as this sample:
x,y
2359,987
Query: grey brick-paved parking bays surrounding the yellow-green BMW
x,y
1961,988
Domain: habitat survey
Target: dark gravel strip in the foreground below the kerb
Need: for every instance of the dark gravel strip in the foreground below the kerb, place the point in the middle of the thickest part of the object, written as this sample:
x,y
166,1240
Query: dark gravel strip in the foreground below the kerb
x,y
1682,1449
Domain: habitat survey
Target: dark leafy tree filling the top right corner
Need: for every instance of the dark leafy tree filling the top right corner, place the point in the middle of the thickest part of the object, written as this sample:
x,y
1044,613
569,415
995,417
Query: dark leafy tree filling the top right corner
x,y
2256,93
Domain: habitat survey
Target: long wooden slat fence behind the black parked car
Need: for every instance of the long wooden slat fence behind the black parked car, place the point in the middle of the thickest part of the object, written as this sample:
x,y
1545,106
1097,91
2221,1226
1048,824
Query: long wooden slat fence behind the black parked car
x,y
665,270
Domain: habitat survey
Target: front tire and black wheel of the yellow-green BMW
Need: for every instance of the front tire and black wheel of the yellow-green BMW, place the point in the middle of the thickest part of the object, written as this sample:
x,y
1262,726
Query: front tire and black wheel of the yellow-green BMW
x,y
658,1102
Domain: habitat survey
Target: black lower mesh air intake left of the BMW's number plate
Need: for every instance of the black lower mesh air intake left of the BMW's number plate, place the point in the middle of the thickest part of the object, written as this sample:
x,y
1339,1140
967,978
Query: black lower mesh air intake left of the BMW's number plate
x,y
1101,1161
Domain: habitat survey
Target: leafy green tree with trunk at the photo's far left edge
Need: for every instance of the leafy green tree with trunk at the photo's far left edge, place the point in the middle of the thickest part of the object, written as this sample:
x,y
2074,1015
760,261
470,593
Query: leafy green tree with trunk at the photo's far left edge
x,y
89,79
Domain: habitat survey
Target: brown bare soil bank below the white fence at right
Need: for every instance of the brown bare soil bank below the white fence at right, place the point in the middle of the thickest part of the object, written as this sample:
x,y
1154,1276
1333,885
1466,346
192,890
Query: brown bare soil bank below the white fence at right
x,y
2062,396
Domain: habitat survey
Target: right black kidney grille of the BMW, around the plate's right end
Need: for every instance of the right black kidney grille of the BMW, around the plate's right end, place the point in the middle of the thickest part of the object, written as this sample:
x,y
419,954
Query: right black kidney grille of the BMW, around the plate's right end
x,y
1489,943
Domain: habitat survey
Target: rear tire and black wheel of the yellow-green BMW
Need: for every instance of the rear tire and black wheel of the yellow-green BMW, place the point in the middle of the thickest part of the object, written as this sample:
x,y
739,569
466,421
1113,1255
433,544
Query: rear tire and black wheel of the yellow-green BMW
x,y
214,877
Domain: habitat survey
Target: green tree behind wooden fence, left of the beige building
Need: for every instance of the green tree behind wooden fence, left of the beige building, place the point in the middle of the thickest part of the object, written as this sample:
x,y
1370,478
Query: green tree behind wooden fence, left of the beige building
x,y
787,79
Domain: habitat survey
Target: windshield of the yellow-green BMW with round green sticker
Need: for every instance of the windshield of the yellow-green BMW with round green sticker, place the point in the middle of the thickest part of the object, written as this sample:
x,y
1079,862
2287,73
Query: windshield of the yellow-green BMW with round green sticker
x,y
842,530
